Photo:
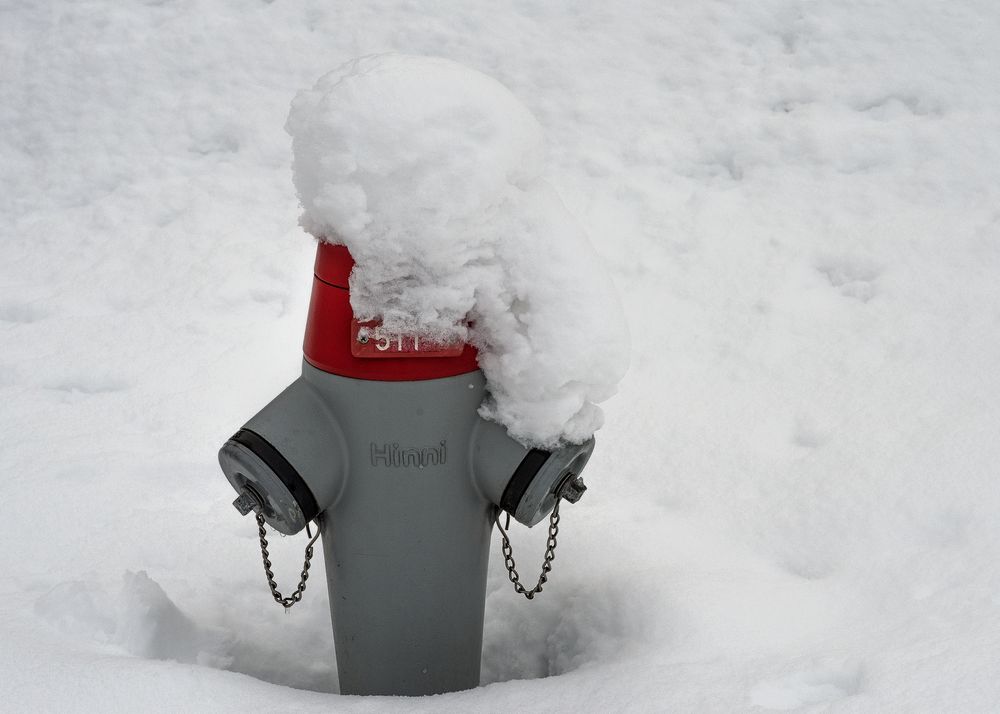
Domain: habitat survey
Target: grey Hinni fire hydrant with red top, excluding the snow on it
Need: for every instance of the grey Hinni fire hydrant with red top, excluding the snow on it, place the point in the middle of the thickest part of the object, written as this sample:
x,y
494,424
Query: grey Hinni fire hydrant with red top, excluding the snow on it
x,y
379,441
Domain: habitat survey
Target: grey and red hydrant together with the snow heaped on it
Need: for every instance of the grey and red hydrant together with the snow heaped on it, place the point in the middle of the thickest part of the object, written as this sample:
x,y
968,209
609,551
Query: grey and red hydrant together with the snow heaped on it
x,y
429,400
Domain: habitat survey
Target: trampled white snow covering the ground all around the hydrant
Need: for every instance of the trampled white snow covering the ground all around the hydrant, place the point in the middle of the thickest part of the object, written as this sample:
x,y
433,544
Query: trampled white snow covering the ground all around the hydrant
x,y
794,501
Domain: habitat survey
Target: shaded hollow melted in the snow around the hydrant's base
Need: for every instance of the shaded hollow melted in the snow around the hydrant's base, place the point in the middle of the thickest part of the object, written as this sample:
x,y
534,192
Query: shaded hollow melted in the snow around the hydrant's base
x,y
569,625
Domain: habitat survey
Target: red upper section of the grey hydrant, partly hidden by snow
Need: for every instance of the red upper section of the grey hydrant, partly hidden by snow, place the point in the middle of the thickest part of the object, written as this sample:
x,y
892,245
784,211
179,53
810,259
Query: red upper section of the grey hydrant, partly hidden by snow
x,y
331,334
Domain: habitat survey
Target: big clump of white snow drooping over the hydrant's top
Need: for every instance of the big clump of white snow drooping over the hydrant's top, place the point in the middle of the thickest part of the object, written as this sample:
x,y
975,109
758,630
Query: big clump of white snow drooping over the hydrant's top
x,y
429,173
